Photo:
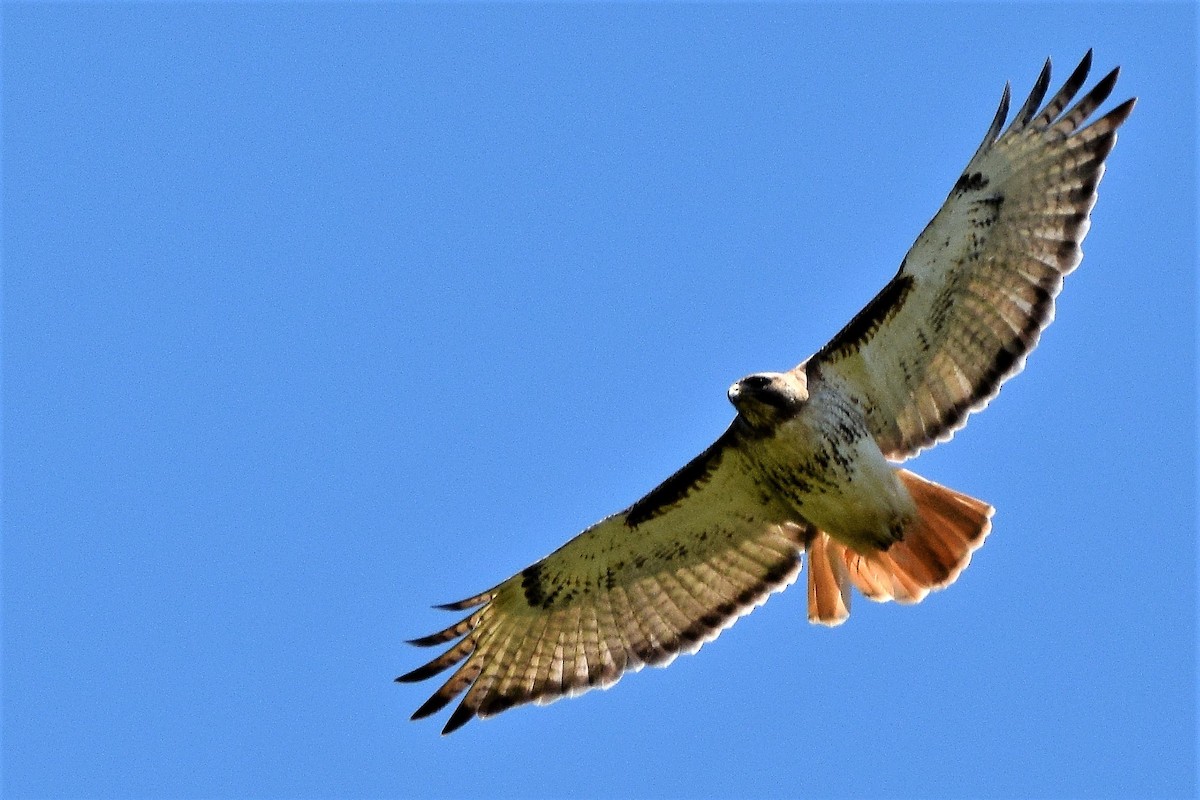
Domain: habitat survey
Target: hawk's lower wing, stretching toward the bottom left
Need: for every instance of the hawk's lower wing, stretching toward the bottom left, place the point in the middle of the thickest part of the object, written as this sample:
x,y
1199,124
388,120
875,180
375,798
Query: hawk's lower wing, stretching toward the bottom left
x,y
639,588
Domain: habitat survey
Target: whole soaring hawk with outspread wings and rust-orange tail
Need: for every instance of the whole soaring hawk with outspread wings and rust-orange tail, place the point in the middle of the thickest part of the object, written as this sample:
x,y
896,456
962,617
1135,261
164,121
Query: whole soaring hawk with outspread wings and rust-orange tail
x,y
808,466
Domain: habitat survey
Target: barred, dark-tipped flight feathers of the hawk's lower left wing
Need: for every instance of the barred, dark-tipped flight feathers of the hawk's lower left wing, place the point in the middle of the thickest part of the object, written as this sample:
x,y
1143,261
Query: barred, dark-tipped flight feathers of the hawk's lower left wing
x,y
512,653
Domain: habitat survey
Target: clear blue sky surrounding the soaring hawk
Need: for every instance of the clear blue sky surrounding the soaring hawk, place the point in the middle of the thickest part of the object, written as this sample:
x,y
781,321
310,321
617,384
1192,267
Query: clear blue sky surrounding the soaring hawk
x,y
319,315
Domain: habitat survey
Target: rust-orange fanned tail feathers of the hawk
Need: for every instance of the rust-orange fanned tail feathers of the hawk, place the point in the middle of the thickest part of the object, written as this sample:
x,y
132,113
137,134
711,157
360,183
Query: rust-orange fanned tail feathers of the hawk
x,y
937,548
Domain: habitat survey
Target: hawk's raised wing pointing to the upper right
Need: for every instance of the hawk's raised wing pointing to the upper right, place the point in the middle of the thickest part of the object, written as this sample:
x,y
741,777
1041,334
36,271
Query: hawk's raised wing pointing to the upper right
x,y
977,288
